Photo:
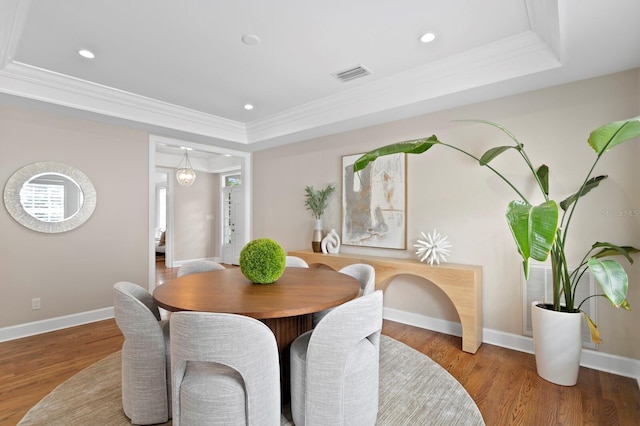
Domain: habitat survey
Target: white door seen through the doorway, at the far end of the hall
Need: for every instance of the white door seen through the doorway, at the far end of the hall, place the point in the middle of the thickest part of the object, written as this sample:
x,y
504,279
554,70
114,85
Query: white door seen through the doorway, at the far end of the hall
x,y
233,224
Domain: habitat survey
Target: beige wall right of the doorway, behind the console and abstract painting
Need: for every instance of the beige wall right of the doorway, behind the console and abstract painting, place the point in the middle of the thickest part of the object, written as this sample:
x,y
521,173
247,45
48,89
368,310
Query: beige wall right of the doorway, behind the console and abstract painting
x,y
451,193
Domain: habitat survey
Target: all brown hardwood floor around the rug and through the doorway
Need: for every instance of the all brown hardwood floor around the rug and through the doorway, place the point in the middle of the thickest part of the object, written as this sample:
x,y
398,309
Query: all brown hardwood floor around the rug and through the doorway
x,y
502,382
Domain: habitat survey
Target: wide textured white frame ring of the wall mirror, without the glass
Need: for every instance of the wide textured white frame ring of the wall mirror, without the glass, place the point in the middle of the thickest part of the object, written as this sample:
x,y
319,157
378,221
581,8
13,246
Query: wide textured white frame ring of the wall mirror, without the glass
x,y
26,173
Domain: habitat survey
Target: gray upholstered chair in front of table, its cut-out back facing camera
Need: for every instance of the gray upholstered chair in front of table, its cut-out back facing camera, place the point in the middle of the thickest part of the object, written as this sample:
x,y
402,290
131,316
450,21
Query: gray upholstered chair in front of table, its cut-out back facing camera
x,y
225,370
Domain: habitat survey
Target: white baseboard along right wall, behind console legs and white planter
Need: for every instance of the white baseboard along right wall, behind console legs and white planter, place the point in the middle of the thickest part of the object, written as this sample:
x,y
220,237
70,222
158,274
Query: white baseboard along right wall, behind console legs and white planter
x,y
614,364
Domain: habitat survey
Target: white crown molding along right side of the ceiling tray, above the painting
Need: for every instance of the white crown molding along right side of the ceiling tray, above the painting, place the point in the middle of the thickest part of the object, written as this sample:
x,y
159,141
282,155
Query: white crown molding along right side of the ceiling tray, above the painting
x,y
516,56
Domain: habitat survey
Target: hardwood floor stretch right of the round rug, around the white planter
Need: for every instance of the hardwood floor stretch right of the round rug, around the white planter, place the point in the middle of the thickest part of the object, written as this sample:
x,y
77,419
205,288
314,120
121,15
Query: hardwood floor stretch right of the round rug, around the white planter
x,y
505,386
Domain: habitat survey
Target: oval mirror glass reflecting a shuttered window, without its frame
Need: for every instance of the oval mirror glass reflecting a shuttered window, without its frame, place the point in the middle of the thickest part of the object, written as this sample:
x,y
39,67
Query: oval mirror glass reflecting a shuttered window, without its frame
x,y
51,197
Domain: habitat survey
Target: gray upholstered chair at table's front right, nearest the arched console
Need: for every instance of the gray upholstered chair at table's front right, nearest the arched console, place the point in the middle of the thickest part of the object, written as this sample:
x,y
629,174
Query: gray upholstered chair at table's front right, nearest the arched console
x,y
335,366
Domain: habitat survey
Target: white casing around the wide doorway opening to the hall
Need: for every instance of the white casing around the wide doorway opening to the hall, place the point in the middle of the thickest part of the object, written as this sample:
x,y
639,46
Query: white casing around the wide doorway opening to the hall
x,y
246,183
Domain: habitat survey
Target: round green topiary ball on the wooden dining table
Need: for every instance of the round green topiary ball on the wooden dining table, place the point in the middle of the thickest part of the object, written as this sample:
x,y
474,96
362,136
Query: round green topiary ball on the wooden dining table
x,y
262,261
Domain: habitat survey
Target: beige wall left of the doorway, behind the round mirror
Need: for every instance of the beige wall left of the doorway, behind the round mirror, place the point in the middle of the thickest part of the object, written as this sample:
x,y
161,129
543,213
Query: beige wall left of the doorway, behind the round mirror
x,y
74,272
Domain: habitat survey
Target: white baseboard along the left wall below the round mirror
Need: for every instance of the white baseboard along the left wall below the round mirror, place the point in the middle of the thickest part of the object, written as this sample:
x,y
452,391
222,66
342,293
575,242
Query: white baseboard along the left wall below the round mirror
x,y
52,324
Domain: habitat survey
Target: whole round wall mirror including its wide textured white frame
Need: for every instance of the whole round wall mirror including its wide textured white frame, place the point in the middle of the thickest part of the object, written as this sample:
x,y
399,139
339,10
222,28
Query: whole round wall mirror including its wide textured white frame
x,y
50,197
